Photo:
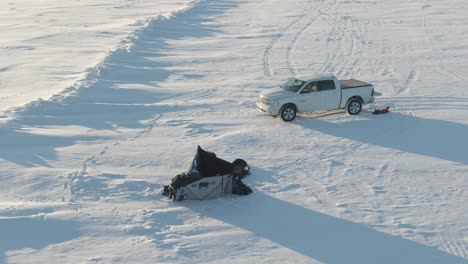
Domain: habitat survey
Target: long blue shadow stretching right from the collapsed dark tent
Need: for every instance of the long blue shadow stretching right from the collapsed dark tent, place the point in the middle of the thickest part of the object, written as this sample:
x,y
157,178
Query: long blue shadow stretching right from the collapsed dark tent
x,y
319,236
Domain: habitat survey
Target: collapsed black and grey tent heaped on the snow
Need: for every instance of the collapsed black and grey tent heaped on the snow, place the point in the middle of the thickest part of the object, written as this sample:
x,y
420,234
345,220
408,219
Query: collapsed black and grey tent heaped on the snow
x,y
209,177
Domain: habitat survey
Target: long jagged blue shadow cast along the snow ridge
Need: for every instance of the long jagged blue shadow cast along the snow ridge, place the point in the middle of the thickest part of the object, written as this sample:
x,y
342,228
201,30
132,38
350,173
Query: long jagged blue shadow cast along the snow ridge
x,y
115,99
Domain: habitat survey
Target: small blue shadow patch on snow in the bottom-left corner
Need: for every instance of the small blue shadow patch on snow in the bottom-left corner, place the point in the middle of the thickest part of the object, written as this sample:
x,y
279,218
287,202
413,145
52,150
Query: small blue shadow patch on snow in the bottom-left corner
x,y
18,233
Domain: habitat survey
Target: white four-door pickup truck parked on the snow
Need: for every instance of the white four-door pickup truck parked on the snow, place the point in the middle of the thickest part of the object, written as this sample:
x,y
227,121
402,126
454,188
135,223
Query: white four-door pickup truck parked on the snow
x,y
315,93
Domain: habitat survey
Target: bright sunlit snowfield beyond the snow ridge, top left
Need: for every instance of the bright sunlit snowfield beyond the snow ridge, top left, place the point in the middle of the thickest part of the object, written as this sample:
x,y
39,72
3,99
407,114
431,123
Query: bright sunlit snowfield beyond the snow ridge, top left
x,y
46,46
